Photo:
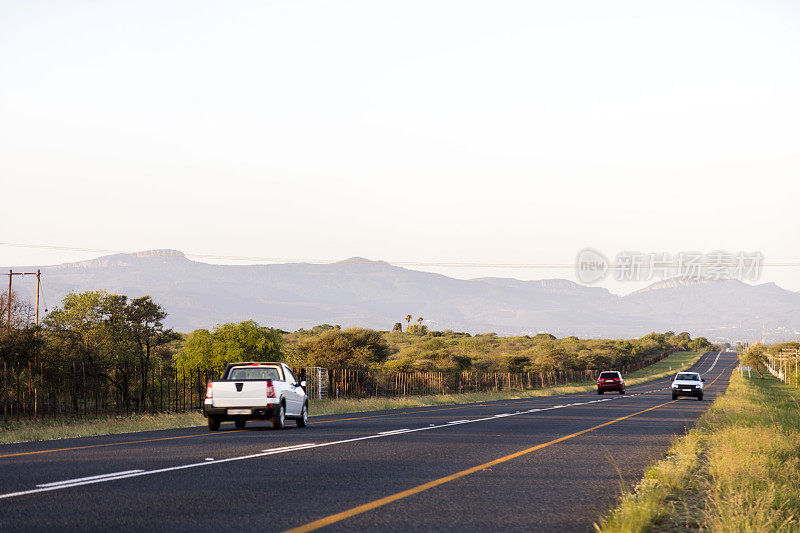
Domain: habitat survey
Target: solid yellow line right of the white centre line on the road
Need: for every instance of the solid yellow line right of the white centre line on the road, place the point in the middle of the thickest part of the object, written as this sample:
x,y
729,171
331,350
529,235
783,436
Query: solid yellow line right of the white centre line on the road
x,y
338,517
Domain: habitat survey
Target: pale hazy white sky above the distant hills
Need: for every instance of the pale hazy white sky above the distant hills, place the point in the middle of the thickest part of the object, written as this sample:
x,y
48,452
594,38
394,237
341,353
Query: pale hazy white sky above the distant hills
x,y
489,132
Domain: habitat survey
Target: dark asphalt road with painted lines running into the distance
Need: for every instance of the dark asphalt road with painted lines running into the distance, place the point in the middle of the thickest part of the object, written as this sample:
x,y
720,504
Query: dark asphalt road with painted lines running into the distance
x,y
544,464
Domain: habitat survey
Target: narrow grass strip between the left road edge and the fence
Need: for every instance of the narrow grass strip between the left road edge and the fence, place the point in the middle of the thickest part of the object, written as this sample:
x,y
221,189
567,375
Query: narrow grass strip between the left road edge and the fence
x,y
37,430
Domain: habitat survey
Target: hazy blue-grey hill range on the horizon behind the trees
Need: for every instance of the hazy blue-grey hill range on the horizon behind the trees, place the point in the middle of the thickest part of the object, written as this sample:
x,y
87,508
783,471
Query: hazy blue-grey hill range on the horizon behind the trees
x,y
376,294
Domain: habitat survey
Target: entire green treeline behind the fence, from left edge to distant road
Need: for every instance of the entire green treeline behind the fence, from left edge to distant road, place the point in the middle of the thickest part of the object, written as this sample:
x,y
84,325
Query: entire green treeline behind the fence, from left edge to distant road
x,y
118,341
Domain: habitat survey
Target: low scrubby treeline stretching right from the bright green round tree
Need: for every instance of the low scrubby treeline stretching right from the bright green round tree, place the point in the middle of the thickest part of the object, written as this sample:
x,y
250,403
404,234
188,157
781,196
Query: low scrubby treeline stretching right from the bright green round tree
x,y
330,347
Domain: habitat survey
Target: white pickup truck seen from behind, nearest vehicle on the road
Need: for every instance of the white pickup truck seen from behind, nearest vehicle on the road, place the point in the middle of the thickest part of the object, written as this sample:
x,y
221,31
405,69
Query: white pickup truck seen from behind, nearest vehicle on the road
x,y
256,391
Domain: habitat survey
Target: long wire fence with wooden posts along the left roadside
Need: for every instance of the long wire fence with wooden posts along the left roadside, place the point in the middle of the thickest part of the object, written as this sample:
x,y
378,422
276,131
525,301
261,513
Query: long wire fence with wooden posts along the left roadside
x,y
34,391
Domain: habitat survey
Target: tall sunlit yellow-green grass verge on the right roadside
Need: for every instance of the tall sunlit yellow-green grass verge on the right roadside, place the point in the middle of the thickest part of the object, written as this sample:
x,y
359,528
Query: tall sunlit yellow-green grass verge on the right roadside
x,y
738,469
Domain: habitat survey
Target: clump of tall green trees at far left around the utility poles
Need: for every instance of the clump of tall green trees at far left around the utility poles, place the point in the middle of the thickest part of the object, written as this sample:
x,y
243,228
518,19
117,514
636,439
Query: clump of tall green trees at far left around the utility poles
x,y
107,339
